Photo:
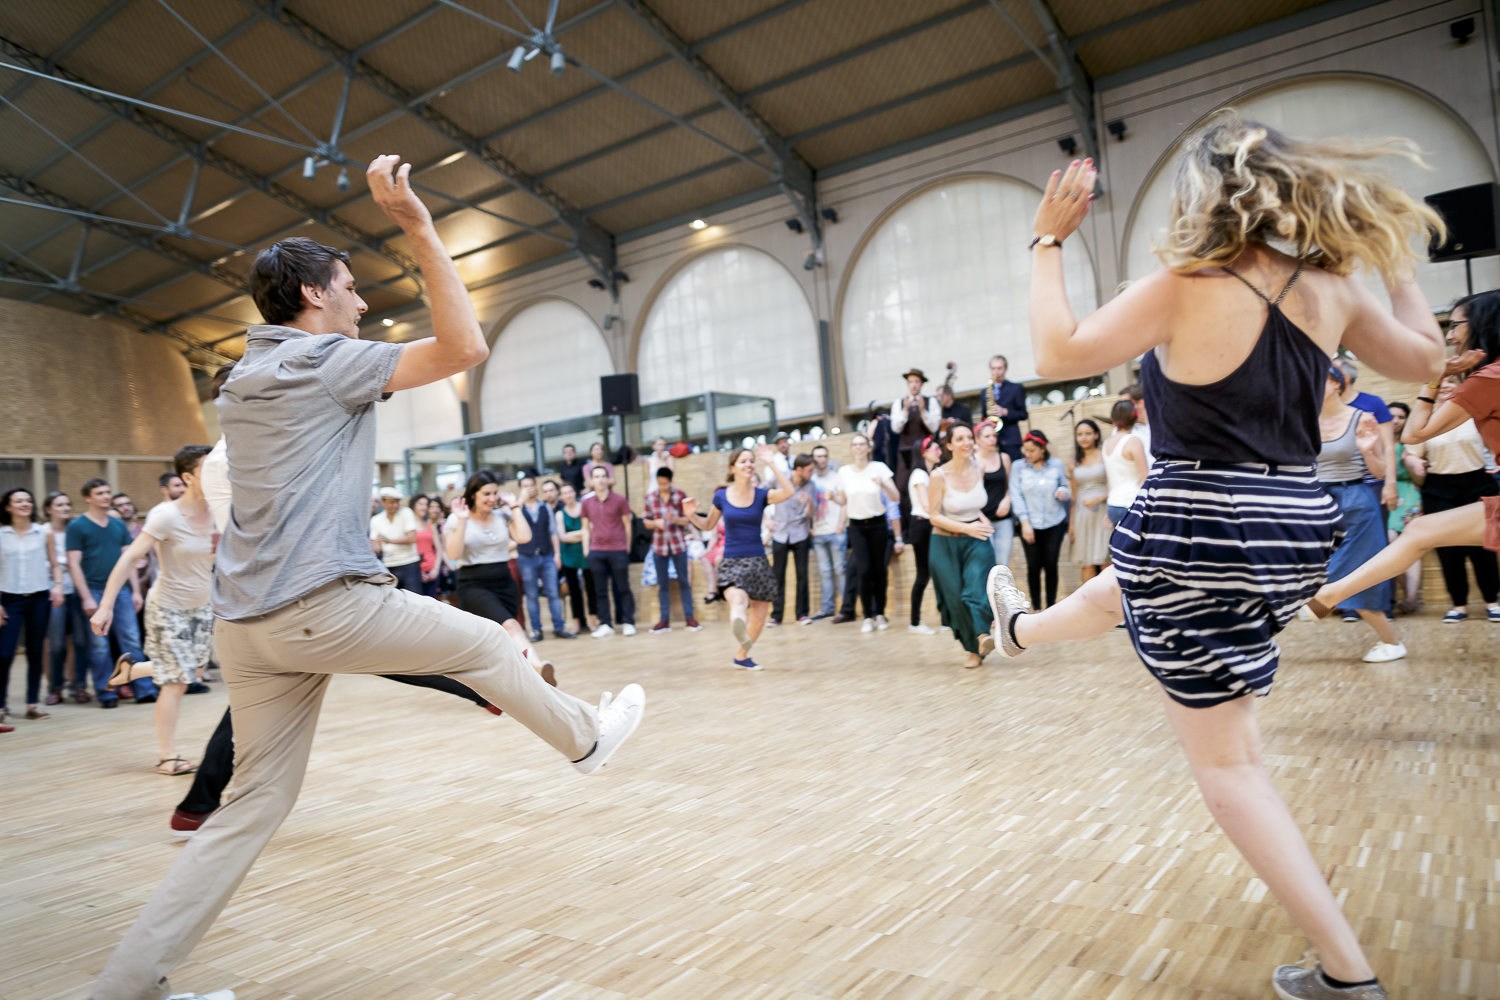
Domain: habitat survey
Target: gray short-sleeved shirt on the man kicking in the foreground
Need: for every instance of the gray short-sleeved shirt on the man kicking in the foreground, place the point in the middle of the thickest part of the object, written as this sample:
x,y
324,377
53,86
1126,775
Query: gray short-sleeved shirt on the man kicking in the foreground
x,y
299,430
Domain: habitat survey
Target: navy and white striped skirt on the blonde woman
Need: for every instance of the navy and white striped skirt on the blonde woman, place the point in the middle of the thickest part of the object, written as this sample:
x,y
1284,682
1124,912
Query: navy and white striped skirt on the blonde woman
x,y
1213,563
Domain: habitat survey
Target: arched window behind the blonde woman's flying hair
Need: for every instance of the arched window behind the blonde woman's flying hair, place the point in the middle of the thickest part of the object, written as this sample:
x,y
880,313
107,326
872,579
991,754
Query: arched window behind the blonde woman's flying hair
x,y
1348,106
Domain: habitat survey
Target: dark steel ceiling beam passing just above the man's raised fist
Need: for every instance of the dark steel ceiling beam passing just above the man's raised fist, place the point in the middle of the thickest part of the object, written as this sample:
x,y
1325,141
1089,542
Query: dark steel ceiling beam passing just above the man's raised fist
x,y
587,239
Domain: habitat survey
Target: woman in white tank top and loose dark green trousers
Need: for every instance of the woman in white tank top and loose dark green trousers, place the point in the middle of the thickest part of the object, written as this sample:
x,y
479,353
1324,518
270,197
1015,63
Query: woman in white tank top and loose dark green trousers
x,y
961,554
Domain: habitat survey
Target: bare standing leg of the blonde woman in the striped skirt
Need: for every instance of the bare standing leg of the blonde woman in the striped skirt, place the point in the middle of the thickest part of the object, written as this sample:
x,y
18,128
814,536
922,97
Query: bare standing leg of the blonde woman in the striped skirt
x,y
1223,749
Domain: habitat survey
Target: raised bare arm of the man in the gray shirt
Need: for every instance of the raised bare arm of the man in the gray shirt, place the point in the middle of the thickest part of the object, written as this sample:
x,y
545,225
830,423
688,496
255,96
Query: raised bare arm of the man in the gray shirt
x,y
457,343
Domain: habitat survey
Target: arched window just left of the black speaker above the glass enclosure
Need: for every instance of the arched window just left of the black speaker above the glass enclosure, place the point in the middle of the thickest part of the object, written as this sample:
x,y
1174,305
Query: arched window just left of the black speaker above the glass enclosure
x,y
545,365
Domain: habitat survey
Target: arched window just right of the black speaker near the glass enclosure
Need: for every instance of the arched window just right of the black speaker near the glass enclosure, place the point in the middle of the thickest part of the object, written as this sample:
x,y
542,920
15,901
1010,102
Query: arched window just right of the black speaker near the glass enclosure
x,y
733,322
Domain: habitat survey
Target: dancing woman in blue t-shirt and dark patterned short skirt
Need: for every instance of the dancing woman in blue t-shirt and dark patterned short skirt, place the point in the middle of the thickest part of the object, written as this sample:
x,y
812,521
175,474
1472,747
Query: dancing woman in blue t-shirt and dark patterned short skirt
x,y
745,576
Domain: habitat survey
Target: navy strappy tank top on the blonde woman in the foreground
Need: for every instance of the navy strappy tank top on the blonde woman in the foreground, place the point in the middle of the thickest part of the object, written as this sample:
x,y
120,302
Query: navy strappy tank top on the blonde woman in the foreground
x,y
1264,413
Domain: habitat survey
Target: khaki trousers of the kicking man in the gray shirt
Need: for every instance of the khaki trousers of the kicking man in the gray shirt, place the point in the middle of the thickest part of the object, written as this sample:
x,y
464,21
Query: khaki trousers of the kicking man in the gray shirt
x,y
278,668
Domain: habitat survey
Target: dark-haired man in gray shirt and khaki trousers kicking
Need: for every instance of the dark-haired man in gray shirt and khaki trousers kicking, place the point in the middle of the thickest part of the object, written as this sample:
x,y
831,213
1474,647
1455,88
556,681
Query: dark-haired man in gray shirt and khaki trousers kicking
x,y
298,591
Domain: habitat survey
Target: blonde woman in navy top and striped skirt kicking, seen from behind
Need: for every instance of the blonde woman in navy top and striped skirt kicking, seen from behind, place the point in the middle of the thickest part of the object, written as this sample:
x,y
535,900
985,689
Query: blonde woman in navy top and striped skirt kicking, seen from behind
x,y
1232,531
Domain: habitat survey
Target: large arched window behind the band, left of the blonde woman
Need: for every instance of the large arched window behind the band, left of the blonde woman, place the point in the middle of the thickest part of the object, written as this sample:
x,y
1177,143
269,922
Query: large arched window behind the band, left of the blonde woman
x,y
944,278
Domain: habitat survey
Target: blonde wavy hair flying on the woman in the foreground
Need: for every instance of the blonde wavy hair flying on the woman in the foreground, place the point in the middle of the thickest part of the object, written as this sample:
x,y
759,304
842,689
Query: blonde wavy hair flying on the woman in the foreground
x,y
1243,182
